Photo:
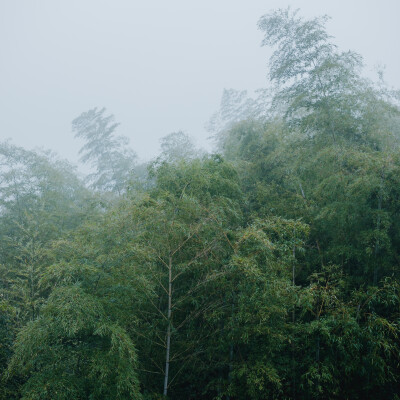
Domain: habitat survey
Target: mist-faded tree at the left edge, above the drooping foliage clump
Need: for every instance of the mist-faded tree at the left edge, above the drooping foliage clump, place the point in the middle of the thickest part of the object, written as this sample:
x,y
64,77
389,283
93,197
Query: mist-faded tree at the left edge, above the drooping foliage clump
x,y
41,200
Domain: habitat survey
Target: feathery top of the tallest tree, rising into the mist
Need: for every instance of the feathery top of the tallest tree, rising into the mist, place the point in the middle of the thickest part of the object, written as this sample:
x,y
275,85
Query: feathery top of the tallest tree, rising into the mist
x,y
319,88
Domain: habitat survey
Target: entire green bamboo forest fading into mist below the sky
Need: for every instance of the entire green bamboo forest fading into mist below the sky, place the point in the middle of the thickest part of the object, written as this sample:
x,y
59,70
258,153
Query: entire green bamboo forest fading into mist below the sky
x,y
268,270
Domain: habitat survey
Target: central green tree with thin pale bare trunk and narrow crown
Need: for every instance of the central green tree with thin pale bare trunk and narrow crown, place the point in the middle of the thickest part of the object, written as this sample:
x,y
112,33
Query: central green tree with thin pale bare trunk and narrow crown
x,y
192,207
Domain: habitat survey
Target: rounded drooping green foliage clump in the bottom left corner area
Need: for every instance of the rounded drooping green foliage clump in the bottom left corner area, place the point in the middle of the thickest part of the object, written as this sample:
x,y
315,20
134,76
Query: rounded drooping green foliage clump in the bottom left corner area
x,y
73,351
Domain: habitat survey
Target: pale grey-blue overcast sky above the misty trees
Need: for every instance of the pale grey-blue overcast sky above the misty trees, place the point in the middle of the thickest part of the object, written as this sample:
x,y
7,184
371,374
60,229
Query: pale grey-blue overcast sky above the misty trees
x,y
159,66
